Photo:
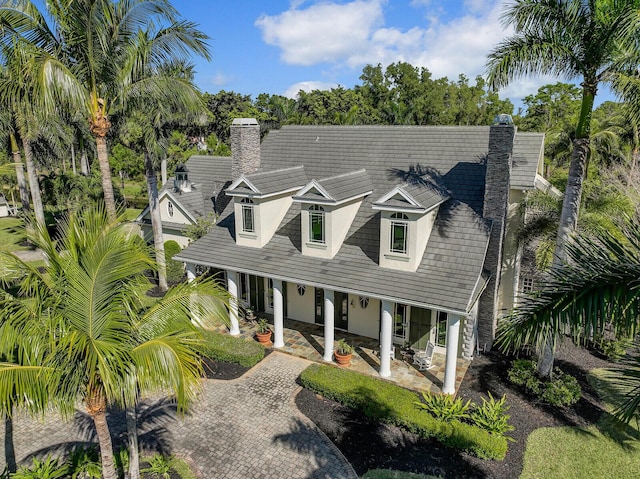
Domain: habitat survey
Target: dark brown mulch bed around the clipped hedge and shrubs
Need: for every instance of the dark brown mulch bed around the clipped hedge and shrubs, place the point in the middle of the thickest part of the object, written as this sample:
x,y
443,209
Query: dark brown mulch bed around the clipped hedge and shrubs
x,y
370,445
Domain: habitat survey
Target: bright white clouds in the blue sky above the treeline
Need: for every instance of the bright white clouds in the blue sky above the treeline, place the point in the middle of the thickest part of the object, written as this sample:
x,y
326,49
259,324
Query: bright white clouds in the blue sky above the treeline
x,y
351,35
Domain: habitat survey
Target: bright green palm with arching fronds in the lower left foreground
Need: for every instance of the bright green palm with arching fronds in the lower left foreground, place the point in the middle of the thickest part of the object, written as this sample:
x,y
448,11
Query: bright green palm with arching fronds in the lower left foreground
x,y
91,339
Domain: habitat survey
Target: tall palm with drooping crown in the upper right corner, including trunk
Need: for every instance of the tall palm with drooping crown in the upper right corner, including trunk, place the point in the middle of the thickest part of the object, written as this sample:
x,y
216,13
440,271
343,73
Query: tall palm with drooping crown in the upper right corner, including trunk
x,y
593,41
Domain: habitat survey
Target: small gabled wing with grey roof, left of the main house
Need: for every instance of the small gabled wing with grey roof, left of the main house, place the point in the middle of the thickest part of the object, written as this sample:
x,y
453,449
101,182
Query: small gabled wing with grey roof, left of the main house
x,y
194,192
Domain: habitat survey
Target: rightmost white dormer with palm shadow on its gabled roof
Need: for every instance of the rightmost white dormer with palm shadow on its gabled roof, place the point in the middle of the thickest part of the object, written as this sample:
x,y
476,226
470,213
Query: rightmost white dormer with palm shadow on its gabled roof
x,y
408,212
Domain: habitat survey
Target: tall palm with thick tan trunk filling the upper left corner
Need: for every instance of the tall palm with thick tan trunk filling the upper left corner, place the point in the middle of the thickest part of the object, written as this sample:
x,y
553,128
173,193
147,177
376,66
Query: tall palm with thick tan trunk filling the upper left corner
x,y
85,56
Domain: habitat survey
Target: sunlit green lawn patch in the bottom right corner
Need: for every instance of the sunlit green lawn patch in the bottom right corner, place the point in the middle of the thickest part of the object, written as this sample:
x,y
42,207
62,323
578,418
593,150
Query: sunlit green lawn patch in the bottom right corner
x,y
607,449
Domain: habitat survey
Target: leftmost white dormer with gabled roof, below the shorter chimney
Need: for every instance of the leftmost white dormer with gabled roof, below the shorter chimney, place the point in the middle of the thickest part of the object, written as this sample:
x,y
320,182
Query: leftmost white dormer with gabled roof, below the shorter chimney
x,y
261,201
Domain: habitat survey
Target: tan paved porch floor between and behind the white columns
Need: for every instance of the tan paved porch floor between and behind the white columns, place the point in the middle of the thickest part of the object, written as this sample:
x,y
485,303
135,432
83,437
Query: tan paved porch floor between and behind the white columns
x,y
306,340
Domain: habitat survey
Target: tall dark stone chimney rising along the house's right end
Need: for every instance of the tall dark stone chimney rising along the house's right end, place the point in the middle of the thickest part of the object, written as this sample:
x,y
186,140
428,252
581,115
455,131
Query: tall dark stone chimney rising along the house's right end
x,y
496,200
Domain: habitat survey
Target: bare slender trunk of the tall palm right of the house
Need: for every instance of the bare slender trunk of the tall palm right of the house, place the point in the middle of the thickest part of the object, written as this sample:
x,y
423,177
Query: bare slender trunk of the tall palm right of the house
x,y
571,205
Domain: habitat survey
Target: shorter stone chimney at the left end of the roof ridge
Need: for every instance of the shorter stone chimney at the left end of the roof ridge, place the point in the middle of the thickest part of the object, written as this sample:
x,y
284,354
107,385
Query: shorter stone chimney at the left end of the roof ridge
x,y
245,147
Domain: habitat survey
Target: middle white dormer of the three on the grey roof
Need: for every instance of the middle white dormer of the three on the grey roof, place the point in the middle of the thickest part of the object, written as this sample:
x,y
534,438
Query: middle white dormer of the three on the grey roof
x,y
328,207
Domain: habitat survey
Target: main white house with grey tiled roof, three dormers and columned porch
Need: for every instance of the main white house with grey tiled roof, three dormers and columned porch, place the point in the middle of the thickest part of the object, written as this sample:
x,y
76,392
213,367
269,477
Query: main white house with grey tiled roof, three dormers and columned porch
x,y
402,233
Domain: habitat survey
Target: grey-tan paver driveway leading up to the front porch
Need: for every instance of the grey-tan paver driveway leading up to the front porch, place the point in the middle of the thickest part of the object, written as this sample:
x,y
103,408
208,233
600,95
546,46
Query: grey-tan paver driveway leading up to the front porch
x,y
244,428
